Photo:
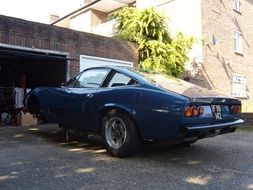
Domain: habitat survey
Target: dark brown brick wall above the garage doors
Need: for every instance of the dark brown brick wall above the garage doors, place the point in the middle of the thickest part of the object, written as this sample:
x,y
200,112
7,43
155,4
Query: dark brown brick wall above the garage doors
x,y
19,32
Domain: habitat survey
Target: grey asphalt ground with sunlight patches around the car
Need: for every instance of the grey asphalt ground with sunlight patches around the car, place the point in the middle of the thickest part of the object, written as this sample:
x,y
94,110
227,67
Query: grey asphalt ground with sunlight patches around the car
x,y
32,158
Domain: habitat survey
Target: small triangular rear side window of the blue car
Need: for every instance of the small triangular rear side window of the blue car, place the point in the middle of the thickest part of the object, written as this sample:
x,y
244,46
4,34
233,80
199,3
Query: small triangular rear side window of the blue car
x,y
119,79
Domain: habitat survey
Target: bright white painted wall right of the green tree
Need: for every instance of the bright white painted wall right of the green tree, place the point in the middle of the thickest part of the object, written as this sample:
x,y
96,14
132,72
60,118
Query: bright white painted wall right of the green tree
x,y
183,16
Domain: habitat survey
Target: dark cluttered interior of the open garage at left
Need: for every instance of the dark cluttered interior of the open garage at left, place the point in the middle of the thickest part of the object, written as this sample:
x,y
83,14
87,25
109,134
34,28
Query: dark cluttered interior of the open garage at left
x,y
21,71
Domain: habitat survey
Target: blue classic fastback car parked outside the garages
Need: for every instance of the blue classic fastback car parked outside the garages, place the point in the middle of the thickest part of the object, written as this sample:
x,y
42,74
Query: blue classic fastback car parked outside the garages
x,y
127,108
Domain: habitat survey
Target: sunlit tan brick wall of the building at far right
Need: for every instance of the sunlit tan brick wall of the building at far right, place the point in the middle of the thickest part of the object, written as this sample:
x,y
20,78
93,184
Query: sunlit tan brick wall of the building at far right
x,y
219,21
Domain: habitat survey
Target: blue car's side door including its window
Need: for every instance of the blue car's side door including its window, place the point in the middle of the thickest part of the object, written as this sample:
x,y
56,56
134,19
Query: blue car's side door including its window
x,y
81,97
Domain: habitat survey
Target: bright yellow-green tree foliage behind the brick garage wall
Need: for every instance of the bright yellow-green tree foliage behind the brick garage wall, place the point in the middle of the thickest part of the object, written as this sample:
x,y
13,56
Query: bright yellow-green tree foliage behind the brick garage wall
x,y
158,50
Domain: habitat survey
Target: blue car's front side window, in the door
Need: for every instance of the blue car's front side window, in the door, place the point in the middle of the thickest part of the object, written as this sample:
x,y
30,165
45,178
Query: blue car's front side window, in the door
x,y
92,78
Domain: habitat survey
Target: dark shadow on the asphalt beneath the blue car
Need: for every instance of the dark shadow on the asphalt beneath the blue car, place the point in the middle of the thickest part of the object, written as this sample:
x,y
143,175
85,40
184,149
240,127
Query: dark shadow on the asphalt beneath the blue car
x,y
150,151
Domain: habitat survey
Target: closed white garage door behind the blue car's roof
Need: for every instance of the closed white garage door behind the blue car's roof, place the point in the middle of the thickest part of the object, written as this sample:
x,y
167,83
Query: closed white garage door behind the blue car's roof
x,y
90,61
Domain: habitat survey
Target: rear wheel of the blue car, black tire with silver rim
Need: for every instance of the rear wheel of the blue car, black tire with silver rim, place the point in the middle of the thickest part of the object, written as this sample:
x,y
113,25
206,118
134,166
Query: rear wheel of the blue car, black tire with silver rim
x,y
120,135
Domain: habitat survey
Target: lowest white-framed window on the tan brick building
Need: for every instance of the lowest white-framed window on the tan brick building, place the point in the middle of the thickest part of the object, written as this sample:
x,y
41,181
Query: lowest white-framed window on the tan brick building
x,y
239,86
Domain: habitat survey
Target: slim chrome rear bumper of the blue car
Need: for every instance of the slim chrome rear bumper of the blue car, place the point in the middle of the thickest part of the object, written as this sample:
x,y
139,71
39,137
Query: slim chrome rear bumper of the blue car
x,y
214,126
